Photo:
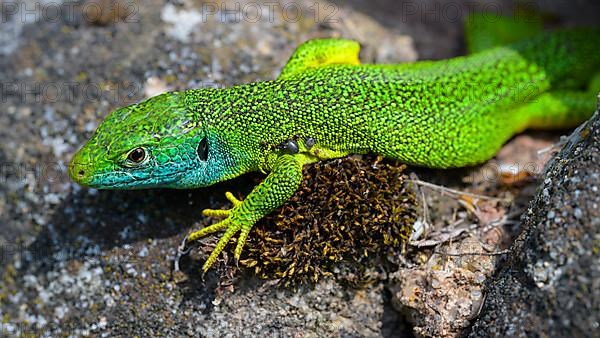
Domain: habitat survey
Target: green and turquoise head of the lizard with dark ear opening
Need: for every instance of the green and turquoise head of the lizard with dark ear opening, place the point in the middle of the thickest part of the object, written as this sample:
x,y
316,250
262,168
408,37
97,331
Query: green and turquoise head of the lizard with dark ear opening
x,y
158,142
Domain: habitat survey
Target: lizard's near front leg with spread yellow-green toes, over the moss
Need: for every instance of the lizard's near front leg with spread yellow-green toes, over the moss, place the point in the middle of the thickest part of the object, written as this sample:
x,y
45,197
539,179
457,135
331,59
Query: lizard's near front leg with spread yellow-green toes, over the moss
x,y
283,180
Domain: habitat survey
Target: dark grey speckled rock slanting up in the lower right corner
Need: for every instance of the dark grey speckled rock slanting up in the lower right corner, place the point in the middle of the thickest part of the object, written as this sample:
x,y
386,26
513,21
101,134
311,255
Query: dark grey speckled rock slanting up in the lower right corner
x,y
549,285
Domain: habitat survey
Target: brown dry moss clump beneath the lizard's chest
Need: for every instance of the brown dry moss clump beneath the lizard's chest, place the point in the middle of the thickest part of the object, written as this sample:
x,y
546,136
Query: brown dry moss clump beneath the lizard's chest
x,y
348,213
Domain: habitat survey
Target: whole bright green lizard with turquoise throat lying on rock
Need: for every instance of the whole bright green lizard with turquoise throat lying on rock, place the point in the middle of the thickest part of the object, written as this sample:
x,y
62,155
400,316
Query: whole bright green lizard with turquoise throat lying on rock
x,y
324,105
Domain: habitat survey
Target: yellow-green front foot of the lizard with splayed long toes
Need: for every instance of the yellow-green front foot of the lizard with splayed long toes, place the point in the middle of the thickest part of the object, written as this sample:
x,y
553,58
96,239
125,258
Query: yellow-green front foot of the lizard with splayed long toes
x,y
233,221
